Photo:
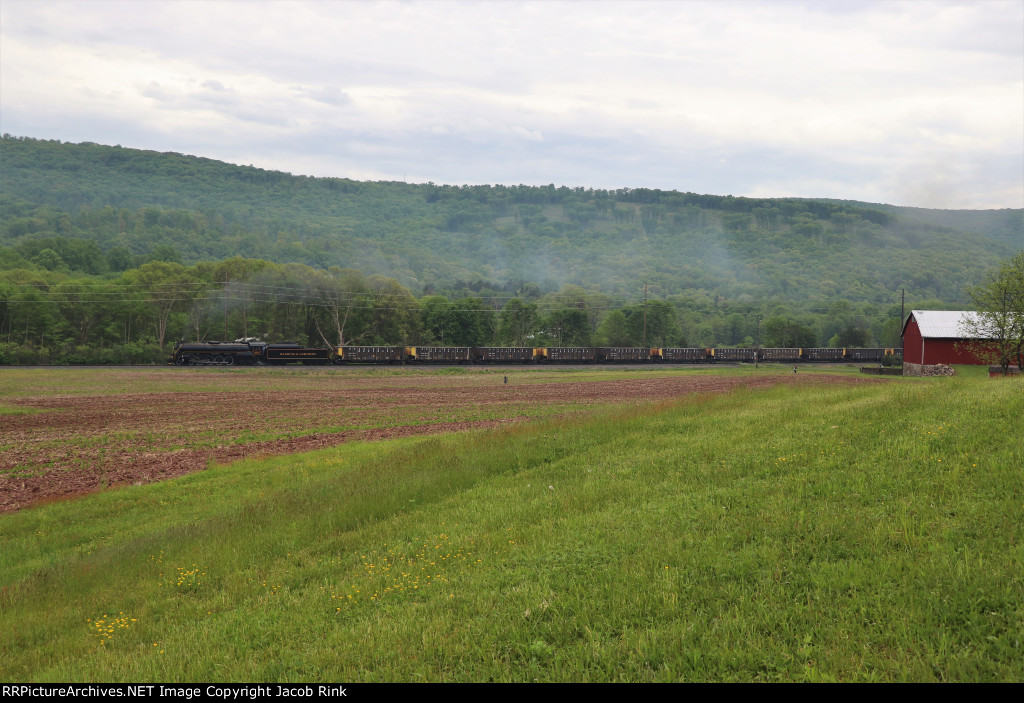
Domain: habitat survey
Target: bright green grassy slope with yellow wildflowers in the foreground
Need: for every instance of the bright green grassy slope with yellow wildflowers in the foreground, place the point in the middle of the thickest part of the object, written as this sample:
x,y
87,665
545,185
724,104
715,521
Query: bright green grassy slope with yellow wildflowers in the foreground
x,y
869,533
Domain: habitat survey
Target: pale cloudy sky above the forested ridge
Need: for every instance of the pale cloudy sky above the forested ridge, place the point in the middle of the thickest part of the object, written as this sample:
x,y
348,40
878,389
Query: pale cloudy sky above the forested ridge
x,y
918,104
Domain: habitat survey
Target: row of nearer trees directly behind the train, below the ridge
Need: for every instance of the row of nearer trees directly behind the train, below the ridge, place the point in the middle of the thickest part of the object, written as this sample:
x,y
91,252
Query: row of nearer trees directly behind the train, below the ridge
x,y
137,316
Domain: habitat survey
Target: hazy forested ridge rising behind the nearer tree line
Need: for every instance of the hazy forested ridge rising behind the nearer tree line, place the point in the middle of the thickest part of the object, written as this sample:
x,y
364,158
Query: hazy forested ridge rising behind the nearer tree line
x,y
94,209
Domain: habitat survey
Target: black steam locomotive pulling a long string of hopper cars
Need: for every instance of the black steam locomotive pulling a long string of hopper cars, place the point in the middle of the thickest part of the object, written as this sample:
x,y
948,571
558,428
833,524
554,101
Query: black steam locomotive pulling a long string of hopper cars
x,y
262,354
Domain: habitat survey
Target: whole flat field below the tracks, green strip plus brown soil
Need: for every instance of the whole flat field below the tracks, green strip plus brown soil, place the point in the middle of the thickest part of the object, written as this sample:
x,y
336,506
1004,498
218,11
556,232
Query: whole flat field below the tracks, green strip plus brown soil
x,y
72,431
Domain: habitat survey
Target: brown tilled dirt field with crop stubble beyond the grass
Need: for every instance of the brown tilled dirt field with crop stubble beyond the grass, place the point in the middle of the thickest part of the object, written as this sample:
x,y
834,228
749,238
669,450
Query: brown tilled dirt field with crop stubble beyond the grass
x,y
86,444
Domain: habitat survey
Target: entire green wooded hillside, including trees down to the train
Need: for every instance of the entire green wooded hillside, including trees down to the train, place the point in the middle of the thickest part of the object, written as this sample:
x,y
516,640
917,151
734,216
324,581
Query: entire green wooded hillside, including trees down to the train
x,y
108,254
